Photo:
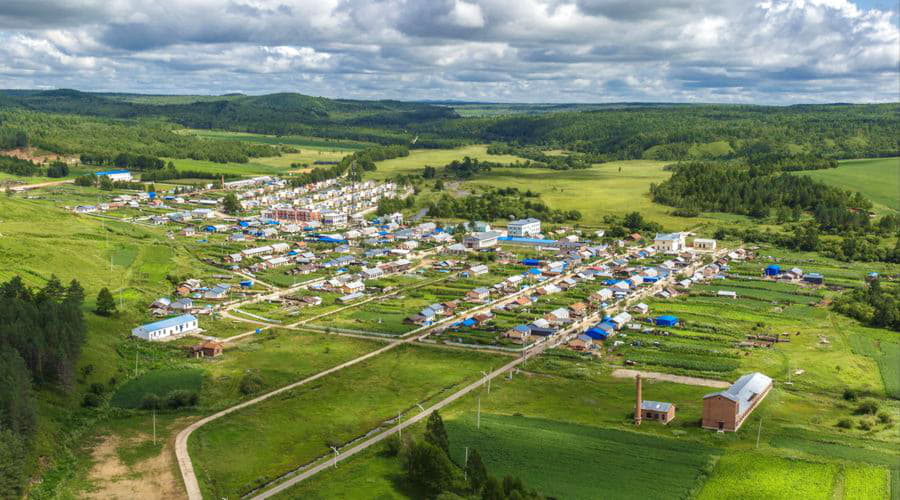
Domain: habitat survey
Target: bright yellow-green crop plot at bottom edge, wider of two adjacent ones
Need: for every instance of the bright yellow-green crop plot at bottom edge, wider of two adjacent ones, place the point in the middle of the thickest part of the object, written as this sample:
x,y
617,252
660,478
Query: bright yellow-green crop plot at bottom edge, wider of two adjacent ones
x,y
749,475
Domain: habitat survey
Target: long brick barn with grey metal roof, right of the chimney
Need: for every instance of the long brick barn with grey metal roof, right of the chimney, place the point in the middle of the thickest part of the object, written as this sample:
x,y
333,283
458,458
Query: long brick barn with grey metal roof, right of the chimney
x,y
726,411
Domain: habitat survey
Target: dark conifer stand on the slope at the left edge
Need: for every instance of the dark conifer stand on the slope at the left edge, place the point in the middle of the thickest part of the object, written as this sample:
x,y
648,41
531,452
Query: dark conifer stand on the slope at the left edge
x,y
41,334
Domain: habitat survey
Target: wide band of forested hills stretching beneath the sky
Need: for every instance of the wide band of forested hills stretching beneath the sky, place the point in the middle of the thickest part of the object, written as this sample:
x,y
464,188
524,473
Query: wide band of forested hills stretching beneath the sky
x,y
111,124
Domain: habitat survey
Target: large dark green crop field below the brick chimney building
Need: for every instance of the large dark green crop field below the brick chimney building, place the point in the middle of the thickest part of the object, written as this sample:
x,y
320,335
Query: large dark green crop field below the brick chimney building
x,y
544,454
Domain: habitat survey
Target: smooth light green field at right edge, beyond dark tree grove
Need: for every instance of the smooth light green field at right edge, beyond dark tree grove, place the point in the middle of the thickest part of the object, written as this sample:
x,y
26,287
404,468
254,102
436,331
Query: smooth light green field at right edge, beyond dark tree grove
x,y
878,179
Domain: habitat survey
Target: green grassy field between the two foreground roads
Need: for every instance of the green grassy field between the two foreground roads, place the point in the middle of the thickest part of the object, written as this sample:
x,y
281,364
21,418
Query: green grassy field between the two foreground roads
x,y
243,450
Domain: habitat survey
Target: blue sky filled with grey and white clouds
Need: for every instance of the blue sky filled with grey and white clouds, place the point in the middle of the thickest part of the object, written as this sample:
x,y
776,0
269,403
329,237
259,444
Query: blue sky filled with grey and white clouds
x,y
759,51
